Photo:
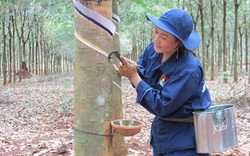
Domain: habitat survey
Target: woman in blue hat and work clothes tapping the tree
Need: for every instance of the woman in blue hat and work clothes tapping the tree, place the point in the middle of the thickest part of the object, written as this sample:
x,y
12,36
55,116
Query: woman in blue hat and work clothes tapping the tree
x,y
169,83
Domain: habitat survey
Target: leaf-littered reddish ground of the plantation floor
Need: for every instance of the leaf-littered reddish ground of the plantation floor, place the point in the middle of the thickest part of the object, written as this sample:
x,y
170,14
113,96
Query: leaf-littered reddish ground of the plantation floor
x,y
36,119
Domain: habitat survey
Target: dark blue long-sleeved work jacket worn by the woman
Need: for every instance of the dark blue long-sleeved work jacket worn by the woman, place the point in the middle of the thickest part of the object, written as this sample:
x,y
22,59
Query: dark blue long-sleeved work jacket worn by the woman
x,y
183,92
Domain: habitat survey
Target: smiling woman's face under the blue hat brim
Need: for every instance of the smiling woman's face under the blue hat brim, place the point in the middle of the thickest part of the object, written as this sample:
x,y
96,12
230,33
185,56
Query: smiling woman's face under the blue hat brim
x,y
164,42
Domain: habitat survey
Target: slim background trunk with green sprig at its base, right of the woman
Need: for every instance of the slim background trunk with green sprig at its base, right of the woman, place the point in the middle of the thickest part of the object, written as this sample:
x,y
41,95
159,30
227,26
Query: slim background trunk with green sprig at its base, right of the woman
x,y
224,38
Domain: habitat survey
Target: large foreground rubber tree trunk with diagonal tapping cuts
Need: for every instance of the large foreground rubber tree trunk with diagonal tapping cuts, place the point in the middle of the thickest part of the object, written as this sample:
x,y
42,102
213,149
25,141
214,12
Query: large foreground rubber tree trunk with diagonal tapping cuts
x,y
96,97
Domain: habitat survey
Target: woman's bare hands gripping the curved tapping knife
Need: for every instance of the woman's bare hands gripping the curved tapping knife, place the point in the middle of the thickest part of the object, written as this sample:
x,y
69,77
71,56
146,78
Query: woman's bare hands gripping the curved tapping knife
x,y
128,68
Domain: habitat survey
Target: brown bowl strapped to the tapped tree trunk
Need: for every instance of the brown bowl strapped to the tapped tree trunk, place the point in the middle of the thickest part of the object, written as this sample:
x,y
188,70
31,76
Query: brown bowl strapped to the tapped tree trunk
x,y
126,127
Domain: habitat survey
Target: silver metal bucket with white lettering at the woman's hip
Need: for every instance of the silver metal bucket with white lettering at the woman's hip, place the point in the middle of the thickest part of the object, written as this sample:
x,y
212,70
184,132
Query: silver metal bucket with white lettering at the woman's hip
x,y
215,129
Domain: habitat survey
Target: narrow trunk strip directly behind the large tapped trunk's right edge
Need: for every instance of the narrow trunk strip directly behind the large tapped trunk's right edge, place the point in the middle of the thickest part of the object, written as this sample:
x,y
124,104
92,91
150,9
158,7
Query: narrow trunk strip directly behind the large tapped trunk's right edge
x,y
119,147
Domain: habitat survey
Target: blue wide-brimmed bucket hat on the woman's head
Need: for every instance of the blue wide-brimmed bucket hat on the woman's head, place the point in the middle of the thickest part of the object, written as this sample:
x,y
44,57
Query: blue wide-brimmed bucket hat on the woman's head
x,y
180,24
